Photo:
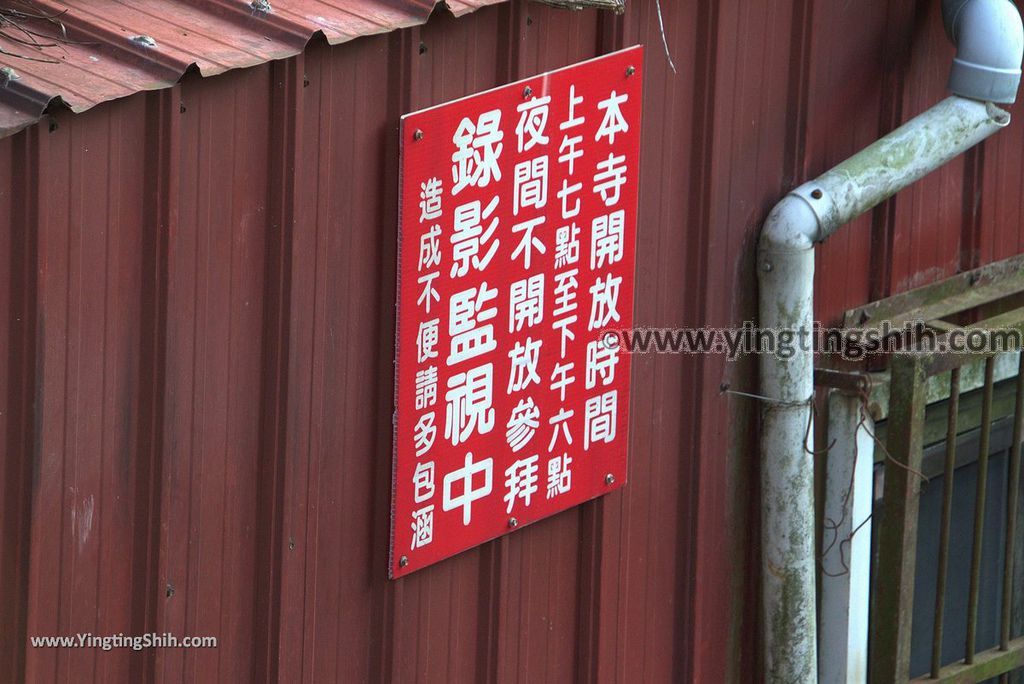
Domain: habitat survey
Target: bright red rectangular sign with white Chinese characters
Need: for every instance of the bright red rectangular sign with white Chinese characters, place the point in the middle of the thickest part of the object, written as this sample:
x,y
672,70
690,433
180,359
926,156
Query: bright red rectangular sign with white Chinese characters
x,y
518,239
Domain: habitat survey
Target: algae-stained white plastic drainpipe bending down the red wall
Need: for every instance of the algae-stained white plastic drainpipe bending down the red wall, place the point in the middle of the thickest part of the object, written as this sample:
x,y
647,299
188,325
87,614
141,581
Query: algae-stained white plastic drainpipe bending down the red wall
x,y
991,46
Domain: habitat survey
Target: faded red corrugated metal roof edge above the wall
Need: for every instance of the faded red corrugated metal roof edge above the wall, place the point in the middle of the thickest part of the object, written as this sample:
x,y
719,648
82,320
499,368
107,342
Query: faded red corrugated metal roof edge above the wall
x,y
106,50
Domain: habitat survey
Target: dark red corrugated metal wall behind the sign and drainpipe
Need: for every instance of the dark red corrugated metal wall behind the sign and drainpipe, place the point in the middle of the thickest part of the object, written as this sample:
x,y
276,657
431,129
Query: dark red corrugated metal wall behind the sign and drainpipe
x,y
197,325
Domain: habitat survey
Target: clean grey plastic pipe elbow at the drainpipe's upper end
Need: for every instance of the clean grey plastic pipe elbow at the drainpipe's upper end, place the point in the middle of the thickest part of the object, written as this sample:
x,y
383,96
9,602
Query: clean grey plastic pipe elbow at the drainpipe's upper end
x,y
990,40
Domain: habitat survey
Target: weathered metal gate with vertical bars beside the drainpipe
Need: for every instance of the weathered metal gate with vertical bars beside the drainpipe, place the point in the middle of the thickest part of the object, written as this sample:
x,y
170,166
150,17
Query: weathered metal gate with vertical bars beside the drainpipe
x,y
925,407
